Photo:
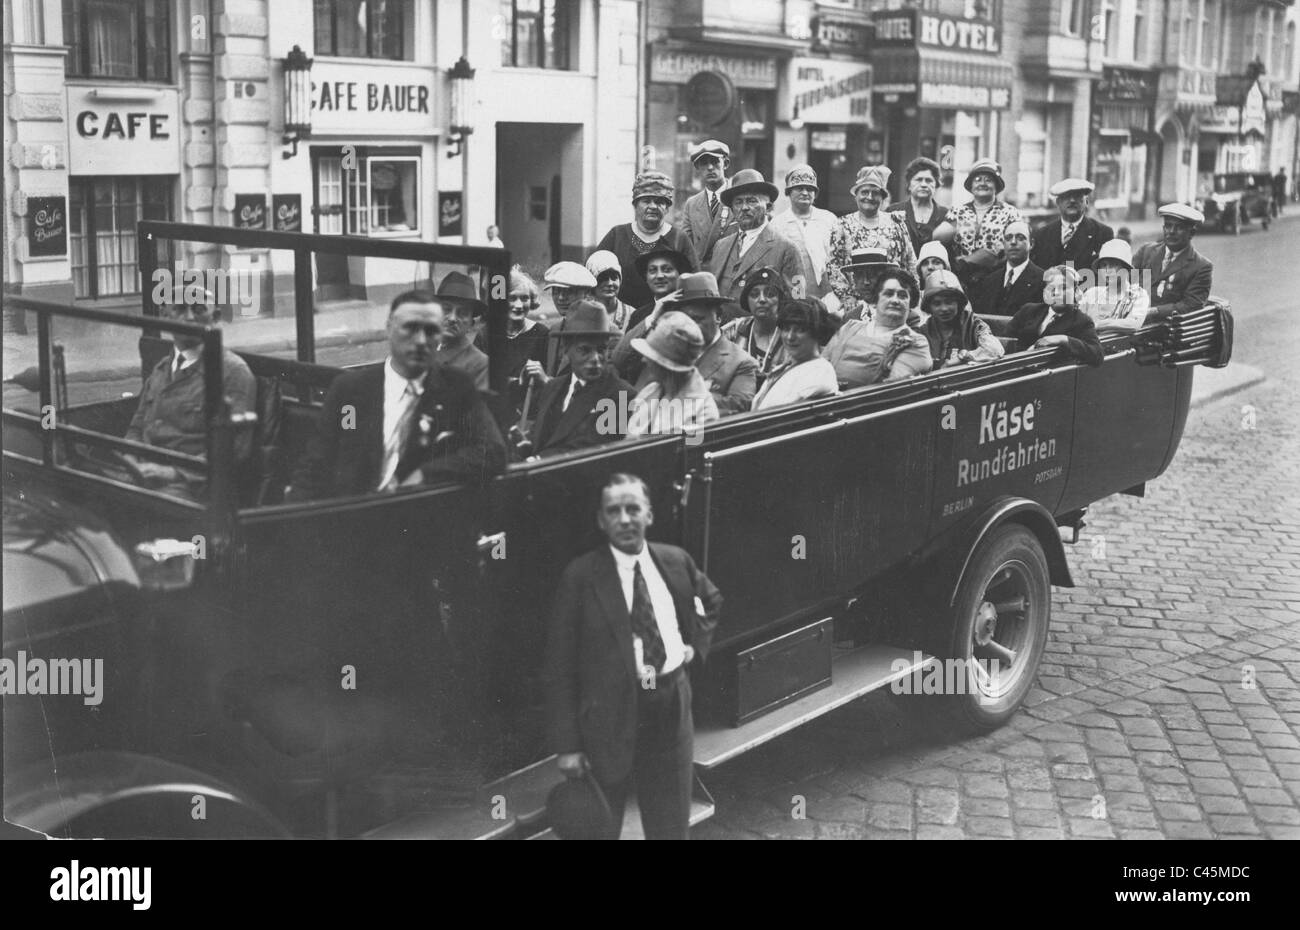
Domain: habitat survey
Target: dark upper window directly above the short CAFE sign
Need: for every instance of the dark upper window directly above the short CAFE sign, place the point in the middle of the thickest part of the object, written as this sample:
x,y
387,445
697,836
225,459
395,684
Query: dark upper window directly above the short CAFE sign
x,y
129,40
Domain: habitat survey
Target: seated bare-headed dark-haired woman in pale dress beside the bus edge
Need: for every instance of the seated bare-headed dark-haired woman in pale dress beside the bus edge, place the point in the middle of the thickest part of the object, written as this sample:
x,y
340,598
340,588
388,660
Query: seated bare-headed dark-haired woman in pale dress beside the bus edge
x,y
883,349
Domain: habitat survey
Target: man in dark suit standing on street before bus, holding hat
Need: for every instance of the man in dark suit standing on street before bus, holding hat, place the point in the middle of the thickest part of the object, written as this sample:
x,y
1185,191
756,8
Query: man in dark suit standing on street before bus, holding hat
x,y
630,618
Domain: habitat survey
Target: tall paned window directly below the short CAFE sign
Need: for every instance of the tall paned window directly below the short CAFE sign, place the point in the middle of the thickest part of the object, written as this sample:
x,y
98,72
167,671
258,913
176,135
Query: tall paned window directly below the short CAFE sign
x,y
102,219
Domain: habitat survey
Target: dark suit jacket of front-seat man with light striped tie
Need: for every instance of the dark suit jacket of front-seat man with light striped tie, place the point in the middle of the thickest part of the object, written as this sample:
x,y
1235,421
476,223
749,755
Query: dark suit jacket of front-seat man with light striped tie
x,y
346,453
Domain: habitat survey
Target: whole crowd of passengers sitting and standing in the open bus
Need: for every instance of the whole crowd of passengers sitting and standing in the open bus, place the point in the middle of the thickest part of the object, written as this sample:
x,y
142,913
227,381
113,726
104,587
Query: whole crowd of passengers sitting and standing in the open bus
x,y
738,309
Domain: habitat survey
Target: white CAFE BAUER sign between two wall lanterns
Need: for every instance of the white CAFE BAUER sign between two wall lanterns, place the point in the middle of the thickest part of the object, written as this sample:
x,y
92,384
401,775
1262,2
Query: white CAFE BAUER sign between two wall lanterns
x,y
372,101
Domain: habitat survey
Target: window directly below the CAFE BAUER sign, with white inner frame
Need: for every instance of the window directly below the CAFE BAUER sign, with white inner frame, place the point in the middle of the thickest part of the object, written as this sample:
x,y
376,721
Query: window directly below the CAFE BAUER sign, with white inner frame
x,y
379,197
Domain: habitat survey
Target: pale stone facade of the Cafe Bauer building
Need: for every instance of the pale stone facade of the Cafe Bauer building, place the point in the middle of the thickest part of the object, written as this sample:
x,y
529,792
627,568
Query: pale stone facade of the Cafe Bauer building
x,y
125,110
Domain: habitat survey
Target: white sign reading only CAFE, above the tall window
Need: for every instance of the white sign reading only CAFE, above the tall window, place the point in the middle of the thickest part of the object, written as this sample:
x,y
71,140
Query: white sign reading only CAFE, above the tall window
x,y
124,131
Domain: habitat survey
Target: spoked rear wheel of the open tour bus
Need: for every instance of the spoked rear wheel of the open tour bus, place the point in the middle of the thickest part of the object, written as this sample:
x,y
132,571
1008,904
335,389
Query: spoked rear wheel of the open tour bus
x,y
993,638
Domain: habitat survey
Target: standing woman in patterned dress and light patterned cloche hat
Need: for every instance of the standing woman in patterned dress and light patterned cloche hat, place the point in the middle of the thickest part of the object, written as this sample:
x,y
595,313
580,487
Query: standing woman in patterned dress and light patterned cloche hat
x,y
869,228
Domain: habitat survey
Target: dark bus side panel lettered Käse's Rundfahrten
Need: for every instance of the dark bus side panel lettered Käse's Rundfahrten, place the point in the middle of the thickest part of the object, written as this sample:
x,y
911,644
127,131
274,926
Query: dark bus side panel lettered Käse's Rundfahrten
x,y
1003,440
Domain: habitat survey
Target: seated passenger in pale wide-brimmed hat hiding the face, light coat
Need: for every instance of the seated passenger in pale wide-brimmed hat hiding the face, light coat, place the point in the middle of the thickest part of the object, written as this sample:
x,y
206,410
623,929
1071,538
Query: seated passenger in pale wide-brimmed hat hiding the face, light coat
x,y
675,397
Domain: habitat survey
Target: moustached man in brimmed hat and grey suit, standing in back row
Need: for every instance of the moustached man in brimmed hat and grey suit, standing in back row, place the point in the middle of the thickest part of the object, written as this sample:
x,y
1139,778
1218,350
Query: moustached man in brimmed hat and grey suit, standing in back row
x,y
755,244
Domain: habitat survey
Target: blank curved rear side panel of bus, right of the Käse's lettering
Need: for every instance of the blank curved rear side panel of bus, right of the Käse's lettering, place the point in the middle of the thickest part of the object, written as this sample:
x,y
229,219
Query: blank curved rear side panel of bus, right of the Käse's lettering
x,y
1123,427
